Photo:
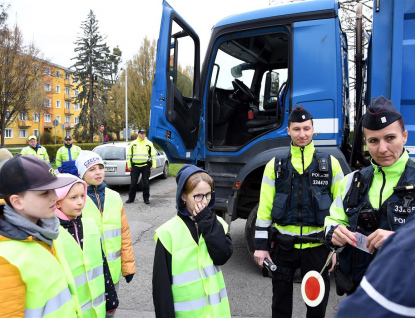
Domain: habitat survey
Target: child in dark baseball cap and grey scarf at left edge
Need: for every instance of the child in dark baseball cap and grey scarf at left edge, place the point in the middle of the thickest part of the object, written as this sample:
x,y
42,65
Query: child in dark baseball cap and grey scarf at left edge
x,y
32,278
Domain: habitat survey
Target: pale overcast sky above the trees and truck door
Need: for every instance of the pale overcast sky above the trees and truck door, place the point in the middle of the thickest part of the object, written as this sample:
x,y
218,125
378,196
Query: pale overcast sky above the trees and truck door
x,y
54,25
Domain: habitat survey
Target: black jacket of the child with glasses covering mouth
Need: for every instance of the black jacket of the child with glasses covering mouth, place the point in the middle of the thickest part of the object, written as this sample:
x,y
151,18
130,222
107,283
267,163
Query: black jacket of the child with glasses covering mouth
x,y
219,246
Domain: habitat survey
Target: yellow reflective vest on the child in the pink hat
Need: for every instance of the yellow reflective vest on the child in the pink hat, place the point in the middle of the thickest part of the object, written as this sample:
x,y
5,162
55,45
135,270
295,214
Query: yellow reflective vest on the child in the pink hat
x,y
86,266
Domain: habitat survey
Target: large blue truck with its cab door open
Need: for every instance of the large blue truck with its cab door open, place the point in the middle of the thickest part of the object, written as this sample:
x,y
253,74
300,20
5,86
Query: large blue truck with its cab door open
x,y
229,116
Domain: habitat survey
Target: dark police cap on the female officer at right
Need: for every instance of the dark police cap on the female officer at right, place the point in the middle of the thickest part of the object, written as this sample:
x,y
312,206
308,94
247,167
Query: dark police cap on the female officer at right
x,y
380,114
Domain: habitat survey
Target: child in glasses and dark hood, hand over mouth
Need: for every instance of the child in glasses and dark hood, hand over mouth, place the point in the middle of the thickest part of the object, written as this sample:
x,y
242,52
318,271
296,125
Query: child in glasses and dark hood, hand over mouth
x,y
195,241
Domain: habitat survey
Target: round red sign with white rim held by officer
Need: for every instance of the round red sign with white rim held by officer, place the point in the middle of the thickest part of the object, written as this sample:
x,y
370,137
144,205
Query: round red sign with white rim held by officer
x,y
313,288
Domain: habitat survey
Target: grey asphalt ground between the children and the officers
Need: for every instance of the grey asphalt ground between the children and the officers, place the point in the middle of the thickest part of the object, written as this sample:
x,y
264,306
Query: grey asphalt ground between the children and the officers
x,y
249,293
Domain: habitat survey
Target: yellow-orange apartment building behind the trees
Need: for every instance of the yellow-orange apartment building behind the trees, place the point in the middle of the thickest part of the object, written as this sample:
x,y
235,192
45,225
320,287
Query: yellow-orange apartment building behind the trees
x,y
60,95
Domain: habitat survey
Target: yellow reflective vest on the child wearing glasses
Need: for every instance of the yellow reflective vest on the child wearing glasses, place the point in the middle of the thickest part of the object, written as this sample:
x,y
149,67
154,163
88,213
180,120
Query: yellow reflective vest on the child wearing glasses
x,y
198,286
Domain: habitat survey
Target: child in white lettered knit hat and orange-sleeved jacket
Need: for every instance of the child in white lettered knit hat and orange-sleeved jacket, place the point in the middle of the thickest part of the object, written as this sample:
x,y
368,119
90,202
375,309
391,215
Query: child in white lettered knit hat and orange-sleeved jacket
x,y
105,207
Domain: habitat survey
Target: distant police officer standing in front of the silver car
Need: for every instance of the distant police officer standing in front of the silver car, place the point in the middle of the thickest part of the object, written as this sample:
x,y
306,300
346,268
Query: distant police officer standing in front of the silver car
x,y
141,158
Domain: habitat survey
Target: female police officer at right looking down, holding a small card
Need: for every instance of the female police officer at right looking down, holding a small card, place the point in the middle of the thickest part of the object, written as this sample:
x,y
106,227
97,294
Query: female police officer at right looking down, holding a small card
x,y
374,201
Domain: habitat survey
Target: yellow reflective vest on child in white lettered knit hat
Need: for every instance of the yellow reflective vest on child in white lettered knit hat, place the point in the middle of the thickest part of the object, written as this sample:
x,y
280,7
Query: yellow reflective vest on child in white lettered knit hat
x,y
110,227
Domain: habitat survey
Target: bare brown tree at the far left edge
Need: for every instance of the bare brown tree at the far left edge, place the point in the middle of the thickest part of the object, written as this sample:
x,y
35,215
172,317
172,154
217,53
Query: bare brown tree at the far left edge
x,y
20,67
